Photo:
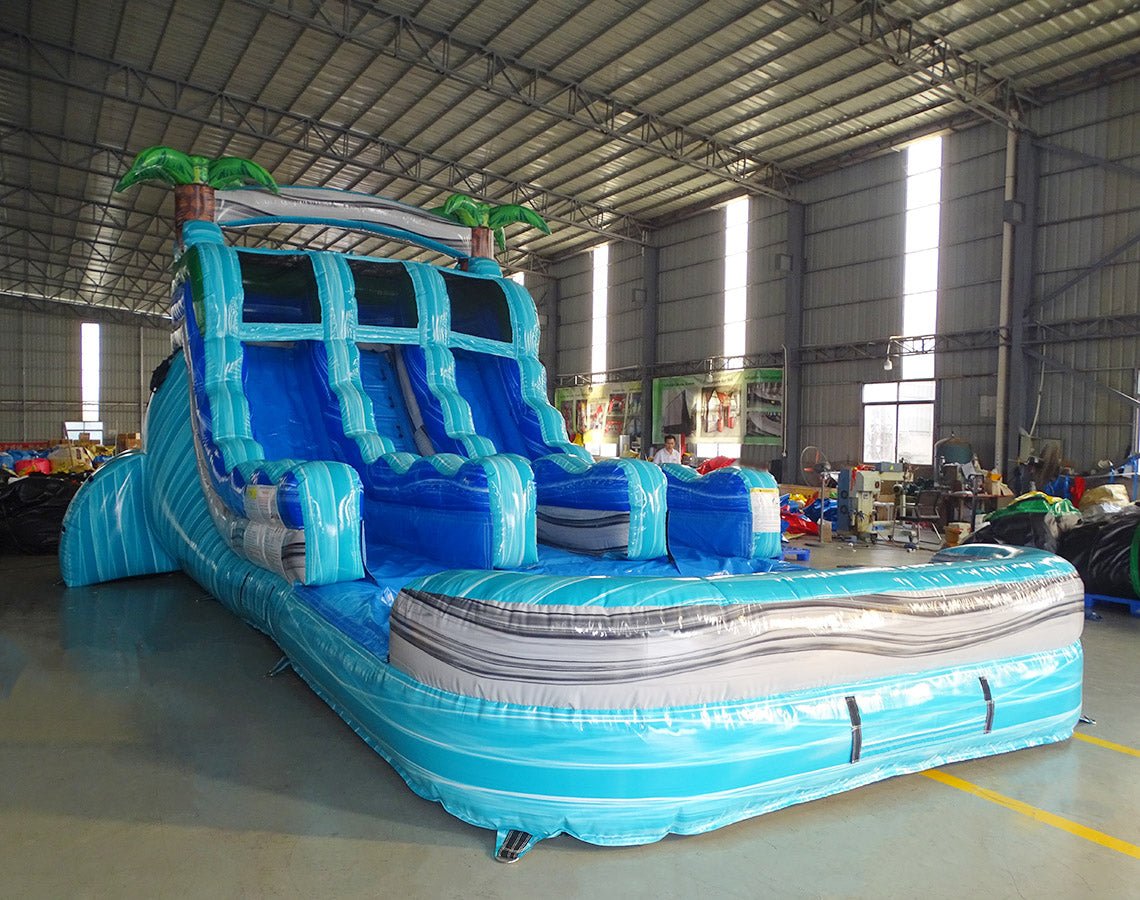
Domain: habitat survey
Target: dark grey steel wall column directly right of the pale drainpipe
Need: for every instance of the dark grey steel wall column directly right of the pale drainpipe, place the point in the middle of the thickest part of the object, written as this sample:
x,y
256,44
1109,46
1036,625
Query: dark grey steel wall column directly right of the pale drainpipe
x,y
1025,241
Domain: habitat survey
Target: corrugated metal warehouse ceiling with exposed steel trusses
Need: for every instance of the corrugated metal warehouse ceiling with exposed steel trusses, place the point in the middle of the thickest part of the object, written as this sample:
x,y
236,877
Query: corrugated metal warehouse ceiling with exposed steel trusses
x,y
609,117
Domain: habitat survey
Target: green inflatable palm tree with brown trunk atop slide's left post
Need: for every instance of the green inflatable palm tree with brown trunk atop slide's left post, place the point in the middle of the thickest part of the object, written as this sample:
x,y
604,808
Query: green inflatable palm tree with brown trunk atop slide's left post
x,y
196,180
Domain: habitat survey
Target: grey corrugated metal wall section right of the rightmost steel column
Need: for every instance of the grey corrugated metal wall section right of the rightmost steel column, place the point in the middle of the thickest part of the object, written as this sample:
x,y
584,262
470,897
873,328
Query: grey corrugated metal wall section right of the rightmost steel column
x,y
1086,212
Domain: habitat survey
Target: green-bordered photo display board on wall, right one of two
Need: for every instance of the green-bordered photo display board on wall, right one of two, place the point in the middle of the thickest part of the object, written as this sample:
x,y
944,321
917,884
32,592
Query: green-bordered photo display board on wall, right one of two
x,y
737,407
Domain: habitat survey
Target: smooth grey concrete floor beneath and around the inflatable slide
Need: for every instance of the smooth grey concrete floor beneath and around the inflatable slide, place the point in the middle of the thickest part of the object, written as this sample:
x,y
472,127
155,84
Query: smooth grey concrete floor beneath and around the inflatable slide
x,y
144,753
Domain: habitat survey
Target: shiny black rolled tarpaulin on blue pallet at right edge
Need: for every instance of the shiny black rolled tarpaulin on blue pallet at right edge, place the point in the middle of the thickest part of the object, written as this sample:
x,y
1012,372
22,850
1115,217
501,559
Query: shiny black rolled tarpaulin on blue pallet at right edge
x,y
1105,552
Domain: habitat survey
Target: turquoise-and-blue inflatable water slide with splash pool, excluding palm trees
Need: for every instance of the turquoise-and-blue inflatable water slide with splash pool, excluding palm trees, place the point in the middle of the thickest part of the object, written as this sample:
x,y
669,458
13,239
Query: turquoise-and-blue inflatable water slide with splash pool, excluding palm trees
x,y
357,457
